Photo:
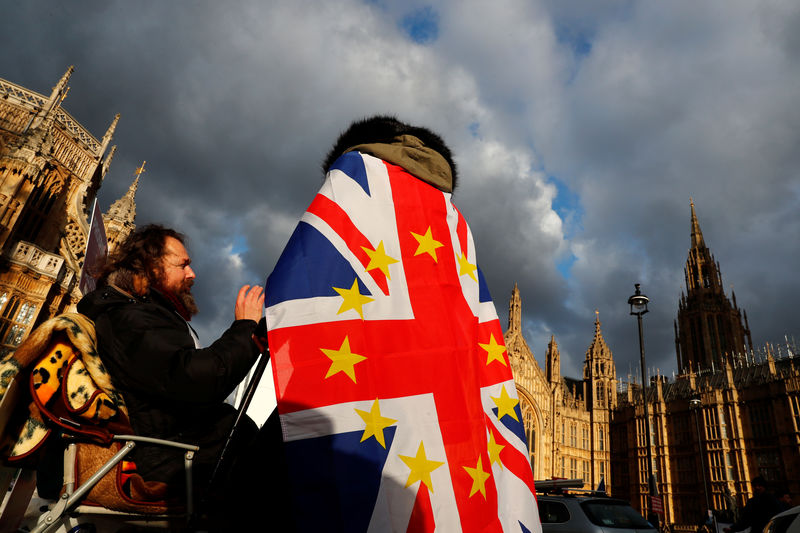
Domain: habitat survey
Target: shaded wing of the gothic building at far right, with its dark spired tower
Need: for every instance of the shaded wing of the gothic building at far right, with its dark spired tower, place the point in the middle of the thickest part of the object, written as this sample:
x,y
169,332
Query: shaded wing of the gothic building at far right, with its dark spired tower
x,y
730,416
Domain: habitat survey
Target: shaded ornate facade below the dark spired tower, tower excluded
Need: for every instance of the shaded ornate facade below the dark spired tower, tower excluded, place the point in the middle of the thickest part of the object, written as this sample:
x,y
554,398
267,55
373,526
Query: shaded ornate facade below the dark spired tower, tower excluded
x,y
712,431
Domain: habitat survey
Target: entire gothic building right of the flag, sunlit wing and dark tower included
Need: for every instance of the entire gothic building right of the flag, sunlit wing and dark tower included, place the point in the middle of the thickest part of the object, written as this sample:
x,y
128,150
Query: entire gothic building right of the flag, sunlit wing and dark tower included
x,y
731,415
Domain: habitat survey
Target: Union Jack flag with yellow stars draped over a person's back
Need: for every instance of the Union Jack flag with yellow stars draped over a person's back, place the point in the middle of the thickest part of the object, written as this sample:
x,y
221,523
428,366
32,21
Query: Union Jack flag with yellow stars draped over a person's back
x,y
396,399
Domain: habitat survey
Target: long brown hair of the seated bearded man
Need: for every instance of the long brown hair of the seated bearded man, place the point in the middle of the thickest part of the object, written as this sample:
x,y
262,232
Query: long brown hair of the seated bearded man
x,y
139,255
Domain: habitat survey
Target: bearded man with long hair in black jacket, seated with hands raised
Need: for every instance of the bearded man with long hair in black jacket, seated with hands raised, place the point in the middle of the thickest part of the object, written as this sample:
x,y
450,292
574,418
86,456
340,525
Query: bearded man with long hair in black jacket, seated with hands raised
x,y
173,389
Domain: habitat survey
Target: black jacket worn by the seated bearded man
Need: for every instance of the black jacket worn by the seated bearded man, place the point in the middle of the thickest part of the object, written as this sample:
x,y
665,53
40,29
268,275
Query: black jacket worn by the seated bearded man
x,y
172,389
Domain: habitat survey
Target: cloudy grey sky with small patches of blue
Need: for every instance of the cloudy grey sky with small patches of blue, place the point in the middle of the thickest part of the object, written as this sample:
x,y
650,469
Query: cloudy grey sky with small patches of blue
x,y
581,129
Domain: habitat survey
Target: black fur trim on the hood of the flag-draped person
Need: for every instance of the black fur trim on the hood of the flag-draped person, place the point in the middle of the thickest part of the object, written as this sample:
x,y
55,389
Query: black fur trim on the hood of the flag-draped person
x,y
384,129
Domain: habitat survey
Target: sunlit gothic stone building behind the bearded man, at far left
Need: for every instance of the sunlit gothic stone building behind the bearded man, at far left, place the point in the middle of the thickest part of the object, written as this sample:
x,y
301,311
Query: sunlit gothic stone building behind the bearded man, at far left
x,y
51,168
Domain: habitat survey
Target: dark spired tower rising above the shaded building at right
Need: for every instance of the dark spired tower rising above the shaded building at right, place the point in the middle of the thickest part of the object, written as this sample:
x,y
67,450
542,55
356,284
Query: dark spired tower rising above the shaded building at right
x,y
708,330
